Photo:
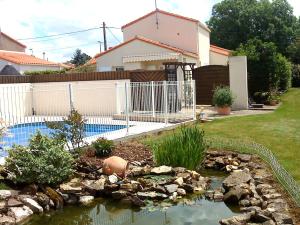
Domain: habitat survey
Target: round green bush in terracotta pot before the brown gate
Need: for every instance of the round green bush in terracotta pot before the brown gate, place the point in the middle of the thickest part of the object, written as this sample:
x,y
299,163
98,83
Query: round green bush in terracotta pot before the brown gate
x,y
223,99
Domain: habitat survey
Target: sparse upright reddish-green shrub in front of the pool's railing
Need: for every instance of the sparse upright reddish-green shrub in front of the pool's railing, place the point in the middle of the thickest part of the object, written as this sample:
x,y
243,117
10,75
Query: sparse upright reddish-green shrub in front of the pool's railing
x,y
70,130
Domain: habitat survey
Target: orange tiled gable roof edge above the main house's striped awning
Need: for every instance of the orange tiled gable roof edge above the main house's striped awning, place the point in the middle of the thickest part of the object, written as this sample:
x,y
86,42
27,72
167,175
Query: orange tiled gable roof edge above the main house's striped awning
x,y
157,43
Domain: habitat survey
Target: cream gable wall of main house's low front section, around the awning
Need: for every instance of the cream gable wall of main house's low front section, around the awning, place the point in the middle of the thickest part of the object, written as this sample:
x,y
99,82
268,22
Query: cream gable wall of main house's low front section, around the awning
x,y
115,58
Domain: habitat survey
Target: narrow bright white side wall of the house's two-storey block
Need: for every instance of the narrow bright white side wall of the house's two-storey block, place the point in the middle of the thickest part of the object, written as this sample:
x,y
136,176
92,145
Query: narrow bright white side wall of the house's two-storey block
x,y
203,46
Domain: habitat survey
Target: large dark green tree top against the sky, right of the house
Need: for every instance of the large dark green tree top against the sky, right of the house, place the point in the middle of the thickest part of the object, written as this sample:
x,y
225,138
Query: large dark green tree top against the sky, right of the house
x,y
234,22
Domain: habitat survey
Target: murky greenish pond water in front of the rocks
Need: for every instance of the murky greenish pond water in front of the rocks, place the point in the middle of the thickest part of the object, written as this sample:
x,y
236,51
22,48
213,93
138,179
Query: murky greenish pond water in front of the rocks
x,y
190,211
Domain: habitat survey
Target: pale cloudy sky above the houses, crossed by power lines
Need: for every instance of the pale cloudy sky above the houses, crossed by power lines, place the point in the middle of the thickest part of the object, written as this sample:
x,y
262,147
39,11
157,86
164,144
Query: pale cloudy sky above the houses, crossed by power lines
x,y
23,19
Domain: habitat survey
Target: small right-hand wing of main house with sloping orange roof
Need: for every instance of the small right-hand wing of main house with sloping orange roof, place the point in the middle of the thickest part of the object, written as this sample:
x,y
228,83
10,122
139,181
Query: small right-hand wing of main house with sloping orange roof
x,y
218,56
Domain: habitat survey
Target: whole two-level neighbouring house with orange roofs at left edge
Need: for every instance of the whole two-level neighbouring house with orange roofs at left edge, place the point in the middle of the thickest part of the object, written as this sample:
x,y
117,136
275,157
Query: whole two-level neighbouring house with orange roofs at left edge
x,y
12,53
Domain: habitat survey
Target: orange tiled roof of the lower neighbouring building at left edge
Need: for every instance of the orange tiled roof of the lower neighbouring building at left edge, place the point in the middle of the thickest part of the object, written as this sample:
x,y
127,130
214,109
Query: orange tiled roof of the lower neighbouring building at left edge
x,y
24,59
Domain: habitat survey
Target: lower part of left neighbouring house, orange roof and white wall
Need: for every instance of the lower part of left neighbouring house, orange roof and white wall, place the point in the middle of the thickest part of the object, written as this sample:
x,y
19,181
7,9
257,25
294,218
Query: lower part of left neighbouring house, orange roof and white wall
x,y
23,62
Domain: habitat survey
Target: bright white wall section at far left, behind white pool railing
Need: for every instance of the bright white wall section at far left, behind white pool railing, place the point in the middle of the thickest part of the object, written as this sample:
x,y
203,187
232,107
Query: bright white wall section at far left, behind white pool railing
x,y
15,102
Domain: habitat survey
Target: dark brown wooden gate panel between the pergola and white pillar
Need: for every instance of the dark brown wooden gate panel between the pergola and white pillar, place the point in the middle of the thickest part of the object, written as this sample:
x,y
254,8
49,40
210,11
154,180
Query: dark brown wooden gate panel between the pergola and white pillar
x,y
207,78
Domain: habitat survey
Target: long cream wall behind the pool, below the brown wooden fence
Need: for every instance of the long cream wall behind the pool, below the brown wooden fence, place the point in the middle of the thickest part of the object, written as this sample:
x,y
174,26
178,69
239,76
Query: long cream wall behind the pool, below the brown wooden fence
x,y
91,98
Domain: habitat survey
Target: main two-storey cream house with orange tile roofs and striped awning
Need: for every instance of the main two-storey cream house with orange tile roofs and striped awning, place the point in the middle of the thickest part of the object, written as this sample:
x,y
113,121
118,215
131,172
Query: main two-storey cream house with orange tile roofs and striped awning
x,y
159,37
